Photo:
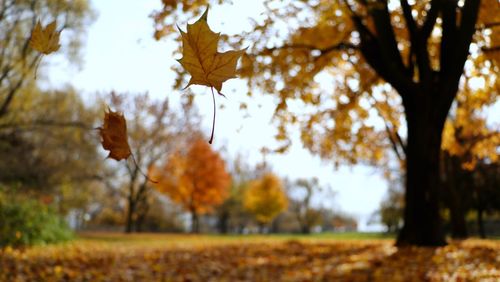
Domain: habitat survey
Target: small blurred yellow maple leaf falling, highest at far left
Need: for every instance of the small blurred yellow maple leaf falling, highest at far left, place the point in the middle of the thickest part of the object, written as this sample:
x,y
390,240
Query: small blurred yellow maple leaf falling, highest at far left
x,y
45,40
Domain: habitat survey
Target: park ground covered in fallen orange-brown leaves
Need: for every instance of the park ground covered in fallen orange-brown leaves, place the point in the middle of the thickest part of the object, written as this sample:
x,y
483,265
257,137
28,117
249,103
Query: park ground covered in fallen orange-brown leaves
x,y
101,257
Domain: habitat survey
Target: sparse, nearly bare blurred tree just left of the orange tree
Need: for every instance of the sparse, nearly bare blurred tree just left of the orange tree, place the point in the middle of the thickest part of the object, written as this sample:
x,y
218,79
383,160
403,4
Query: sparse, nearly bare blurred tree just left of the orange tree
x,y
153,131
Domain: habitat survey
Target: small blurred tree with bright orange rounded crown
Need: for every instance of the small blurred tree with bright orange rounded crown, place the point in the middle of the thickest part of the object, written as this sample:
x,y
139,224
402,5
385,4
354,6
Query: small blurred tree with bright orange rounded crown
x,y
196,179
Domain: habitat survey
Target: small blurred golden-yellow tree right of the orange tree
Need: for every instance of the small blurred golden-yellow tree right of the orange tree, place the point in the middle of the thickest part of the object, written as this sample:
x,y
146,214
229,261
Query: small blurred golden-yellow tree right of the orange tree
x,y
265,198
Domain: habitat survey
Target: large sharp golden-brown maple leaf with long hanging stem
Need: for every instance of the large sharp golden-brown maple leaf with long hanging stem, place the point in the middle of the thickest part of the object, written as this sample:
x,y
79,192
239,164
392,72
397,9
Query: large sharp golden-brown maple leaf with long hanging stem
x,y
202,60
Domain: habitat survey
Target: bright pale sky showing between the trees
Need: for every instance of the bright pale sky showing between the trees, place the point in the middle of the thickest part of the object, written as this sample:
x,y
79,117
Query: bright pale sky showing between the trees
x,y
120,54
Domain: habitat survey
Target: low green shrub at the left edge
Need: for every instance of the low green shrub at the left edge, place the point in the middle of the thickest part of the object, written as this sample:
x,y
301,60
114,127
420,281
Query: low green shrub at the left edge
x,y
29,222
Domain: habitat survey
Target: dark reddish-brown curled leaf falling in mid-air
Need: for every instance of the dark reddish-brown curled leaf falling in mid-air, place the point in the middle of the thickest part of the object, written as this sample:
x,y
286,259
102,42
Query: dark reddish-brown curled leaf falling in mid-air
x,y
114,135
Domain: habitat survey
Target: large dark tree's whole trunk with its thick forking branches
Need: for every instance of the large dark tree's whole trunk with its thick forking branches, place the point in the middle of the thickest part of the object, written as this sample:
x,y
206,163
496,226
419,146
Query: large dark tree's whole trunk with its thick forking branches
x,y
427,94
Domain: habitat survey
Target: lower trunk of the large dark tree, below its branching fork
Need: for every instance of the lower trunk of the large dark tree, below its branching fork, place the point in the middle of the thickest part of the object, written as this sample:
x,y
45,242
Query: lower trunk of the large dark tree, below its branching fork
x,y
422,222
